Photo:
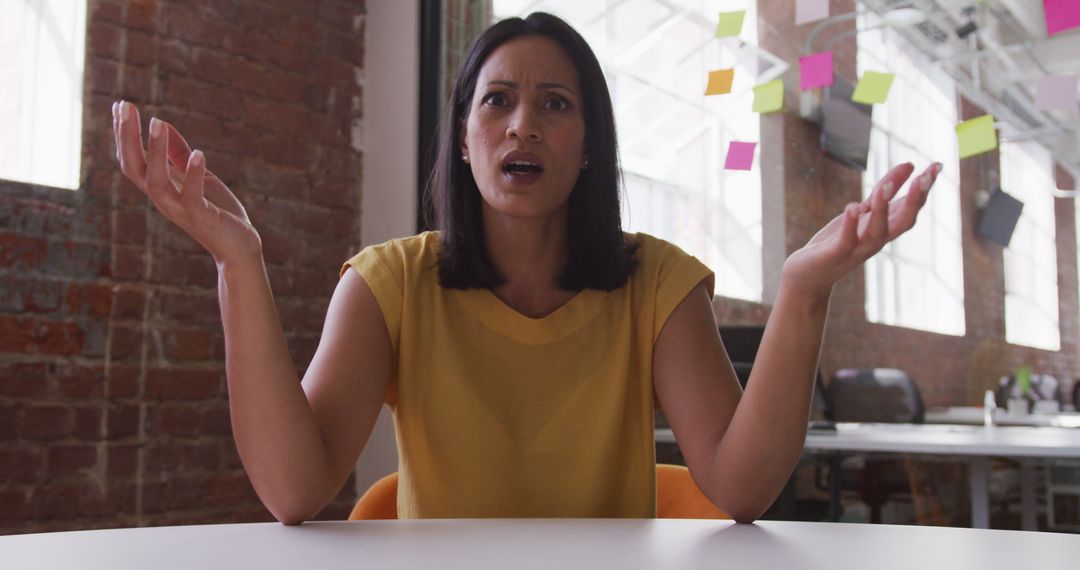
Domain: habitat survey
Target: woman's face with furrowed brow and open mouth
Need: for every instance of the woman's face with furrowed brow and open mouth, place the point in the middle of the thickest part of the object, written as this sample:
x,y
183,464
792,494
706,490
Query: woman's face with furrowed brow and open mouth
x,y
525,135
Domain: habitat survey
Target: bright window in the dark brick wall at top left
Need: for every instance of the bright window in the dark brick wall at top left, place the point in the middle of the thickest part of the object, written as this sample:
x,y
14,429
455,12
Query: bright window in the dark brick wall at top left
x,y
42,60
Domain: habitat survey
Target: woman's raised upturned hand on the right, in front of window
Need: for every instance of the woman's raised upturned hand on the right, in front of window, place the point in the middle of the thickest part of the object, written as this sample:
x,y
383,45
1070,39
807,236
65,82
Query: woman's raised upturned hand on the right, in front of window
x,y
859,233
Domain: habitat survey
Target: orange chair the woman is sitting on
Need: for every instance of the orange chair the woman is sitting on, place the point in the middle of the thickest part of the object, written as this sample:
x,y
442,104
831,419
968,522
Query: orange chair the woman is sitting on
x,y
678,497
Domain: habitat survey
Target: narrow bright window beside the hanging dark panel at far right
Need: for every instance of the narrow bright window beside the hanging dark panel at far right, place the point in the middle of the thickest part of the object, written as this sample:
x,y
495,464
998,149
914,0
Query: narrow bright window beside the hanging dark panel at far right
x,y
1031,261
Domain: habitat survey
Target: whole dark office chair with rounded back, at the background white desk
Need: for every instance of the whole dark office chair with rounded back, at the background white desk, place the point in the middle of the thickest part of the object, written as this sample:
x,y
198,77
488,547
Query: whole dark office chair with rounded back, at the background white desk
x,y
883,396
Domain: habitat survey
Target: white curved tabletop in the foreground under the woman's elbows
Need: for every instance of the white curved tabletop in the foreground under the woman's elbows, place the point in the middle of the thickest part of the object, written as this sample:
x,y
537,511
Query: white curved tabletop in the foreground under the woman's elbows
x,y
627,545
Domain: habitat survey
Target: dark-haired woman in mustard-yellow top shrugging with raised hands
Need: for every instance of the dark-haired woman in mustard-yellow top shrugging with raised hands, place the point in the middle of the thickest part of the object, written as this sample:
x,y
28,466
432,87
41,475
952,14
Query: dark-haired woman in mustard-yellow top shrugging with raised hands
x,y
522,347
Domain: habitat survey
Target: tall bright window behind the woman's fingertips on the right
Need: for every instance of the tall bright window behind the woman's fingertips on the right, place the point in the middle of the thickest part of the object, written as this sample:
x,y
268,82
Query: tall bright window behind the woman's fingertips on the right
x,y
917,281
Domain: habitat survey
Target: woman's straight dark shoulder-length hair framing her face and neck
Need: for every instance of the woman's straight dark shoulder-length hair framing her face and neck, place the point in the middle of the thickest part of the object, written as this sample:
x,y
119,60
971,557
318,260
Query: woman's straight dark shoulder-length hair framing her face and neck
x,y
599,256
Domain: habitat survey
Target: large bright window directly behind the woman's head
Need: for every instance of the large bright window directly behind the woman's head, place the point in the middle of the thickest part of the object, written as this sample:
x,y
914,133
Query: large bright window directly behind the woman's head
x,y
672,140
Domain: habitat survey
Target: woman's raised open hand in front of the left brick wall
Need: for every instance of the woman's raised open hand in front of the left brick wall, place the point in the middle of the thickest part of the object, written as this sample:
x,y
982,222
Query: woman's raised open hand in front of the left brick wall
x,y
181,187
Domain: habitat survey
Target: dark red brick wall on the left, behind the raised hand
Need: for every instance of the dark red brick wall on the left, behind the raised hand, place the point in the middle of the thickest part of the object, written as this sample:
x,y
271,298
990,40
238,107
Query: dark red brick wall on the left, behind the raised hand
x,y
113,401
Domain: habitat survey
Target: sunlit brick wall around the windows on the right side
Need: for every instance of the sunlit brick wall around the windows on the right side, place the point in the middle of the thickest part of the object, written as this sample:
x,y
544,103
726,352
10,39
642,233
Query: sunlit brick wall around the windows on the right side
x,y
950,371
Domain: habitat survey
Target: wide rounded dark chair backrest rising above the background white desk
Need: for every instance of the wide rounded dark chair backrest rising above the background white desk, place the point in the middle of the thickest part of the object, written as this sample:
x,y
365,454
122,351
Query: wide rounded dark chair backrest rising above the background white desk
x,y
886,396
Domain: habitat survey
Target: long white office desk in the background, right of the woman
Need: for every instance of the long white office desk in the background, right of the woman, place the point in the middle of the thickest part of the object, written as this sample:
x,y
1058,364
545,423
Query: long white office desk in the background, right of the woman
x,y
975,444
